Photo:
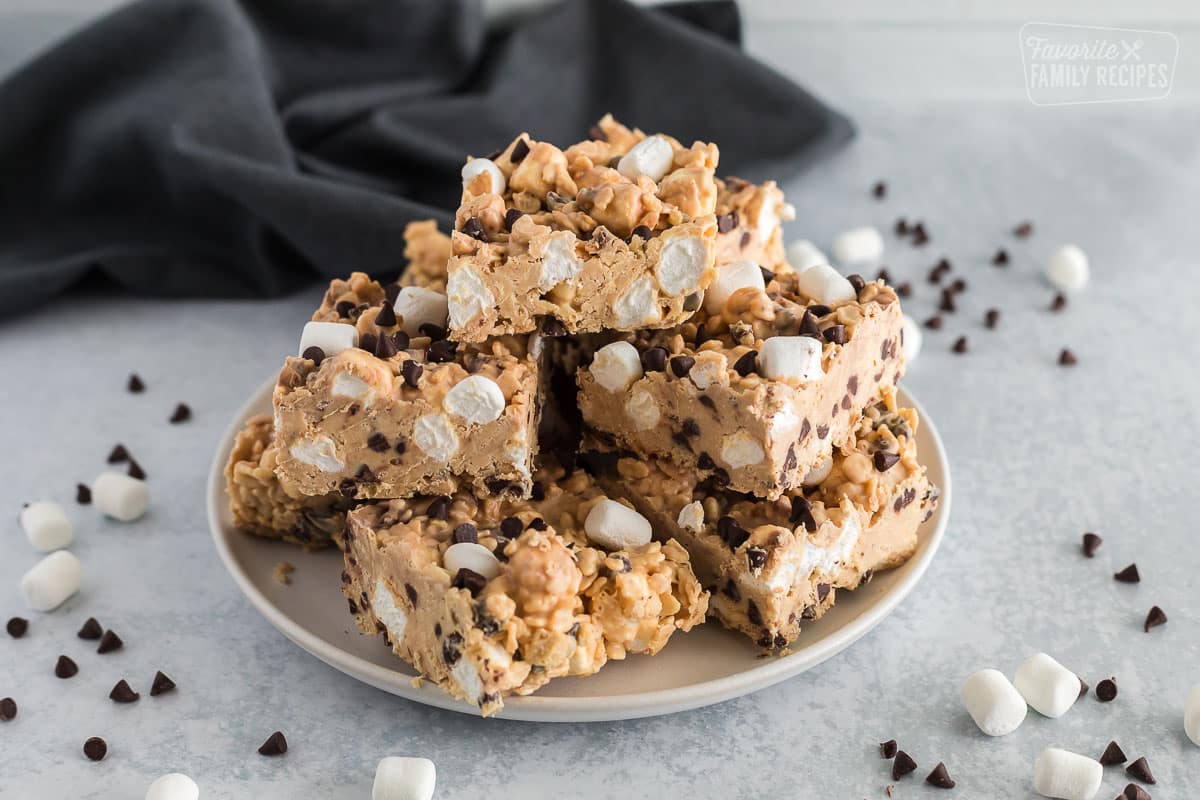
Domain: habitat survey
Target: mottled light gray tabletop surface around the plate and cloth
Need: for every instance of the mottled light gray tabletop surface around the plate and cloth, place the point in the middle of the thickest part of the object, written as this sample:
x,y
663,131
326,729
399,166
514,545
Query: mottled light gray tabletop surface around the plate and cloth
x,y
1040,454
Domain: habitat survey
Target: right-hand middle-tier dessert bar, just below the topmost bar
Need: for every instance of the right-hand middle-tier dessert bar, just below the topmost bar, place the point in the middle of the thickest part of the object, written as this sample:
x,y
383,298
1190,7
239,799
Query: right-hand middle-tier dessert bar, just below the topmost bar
x,y
771,392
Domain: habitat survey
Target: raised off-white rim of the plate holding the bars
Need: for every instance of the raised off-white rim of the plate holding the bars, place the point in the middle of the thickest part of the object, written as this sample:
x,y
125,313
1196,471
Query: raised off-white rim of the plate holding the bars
x,y
609,708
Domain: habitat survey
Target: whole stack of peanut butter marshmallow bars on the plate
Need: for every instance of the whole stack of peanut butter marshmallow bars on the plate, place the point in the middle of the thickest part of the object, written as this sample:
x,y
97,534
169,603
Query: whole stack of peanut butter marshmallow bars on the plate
x,y
601,411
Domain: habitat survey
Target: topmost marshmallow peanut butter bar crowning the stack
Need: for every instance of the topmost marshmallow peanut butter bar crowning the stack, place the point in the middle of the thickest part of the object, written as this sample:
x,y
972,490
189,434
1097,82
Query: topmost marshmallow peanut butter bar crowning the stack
x,y
616,233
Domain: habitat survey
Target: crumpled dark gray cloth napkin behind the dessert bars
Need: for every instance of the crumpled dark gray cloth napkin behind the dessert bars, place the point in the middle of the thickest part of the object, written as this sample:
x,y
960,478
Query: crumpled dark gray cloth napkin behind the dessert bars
x,y
215,148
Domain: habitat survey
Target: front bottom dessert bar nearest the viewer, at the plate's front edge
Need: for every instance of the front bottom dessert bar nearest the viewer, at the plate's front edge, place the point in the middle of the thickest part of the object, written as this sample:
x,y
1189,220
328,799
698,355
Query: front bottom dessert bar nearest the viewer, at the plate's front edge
x,y
532,598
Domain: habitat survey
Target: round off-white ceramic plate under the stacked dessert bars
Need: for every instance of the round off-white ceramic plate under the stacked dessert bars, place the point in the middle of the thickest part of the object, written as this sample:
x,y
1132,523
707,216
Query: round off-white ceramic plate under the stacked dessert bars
x,y
705,666
